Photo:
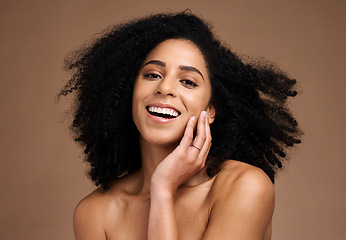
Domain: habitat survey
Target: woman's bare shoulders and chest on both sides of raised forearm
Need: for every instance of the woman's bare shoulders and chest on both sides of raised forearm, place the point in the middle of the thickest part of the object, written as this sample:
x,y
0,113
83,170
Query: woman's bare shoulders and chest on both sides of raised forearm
x,y
122,212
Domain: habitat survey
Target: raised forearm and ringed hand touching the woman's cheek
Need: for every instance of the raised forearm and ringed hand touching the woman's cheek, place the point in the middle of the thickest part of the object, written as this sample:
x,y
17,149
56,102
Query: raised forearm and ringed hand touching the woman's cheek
x,y
174,170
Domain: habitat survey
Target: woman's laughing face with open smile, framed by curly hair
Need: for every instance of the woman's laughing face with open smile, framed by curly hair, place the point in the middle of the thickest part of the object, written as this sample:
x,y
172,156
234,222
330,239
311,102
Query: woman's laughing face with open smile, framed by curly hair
x,y
172,85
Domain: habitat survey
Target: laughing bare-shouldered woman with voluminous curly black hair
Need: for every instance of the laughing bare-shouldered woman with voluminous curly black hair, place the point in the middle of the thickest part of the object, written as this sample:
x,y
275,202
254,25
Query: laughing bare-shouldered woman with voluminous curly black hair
x,y
160,175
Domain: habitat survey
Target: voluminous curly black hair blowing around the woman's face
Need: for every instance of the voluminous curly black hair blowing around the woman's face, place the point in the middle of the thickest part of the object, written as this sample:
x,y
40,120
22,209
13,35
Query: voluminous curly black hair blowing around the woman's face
x,y
252,123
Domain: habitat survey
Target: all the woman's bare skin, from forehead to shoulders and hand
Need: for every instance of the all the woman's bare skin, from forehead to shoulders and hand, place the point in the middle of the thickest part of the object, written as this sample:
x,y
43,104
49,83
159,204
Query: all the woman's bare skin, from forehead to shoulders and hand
x,y
171,196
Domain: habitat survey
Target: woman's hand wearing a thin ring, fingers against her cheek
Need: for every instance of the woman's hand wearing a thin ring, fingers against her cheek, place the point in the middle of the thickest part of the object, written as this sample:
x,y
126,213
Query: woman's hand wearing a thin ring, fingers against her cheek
x,y
186,160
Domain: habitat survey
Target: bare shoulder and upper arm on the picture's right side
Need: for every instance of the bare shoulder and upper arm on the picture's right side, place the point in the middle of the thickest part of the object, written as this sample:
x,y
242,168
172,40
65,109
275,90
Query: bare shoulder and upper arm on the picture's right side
x,y
242,203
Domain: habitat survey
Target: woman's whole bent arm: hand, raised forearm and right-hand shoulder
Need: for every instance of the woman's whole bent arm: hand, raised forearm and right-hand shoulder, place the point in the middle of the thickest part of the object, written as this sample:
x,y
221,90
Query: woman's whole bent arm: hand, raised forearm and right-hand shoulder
x,y
243,196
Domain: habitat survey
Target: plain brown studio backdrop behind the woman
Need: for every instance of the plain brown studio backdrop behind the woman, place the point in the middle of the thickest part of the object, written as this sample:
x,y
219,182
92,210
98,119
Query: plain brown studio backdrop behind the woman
x,y
42,173
